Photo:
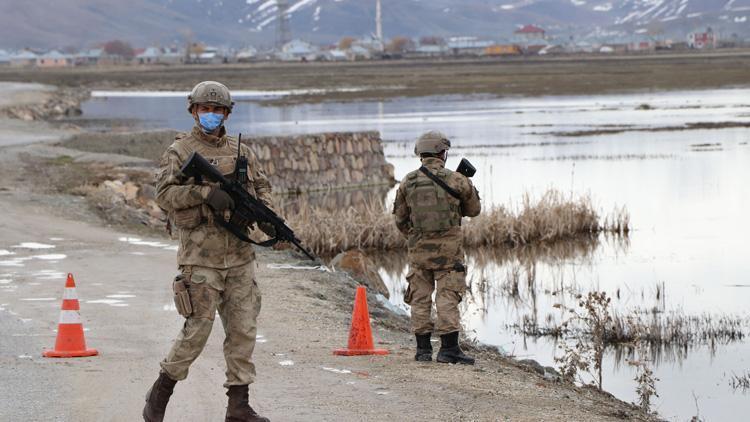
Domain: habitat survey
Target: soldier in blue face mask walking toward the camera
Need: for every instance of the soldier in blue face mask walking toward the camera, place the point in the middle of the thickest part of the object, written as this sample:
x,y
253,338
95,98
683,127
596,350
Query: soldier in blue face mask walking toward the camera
x,y
217,268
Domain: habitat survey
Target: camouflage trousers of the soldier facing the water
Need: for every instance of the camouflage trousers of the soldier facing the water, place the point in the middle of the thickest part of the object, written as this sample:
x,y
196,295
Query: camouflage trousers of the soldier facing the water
x,y
450,286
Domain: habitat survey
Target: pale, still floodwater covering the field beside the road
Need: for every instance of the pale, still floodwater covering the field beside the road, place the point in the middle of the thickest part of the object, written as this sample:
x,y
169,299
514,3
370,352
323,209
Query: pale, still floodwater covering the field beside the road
x,y
677,161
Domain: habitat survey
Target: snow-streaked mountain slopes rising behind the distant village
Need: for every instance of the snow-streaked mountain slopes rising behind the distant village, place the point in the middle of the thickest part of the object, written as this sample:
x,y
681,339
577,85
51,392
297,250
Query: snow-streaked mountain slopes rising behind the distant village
x,y
239,22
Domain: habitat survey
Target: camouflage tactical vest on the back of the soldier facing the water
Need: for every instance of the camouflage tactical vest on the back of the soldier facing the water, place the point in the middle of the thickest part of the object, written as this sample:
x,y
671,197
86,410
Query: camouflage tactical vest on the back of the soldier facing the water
x,y
431,209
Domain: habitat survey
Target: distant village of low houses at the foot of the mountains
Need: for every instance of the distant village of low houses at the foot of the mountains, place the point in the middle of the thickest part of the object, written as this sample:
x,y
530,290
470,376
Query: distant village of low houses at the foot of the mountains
x,y
527,40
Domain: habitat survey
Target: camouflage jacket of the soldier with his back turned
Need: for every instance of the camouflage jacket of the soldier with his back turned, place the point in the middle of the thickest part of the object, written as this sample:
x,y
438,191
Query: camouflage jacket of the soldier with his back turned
x,y
435,249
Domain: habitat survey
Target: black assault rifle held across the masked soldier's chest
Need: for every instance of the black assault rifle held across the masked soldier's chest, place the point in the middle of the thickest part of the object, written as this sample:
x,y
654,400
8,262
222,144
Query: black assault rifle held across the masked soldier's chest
x,y
247,208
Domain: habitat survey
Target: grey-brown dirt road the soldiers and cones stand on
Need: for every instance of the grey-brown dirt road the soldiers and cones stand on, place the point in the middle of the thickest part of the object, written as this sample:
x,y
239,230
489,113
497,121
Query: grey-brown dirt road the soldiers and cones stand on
x,y
124,285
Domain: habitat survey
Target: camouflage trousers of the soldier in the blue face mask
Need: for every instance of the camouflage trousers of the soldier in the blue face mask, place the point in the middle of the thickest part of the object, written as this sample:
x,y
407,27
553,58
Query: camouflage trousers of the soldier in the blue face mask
x,y
235,294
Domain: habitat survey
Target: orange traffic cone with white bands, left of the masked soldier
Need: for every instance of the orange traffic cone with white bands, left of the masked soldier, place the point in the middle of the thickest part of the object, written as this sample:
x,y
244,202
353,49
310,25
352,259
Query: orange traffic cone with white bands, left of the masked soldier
x,y
70,342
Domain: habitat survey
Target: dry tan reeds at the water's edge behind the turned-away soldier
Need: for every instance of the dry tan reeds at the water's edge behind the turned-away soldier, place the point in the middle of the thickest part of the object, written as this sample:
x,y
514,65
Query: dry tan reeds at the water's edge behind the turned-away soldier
x,y
551,218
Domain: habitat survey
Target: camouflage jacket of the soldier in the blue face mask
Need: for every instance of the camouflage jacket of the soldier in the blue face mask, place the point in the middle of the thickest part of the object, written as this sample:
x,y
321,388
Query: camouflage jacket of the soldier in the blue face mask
x,y
201,241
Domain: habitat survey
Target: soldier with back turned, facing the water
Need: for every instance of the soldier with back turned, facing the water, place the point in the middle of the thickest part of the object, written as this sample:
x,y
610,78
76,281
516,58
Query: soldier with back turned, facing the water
x,y
430,218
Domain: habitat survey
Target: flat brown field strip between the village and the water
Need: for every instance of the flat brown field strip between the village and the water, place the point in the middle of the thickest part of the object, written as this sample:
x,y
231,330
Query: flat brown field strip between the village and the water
x,y
530,76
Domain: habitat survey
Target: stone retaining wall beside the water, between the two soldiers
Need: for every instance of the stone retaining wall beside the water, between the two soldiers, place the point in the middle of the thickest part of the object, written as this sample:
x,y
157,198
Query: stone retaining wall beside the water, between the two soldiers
x,y
308,163
